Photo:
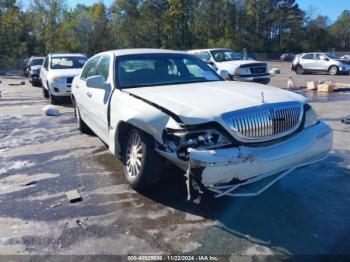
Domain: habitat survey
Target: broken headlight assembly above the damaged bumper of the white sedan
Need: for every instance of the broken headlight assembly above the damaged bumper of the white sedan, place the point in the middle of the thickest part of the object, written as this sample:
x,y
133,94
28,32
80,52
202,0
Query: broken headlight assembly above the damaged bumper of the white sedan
x,y
181,140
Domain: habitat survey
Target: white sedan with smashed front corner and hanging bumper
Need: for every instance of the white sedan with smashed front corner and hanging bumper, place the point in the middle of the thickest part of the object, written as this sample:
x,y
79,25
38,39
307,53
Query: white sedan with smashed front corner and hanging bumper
x,y
148,105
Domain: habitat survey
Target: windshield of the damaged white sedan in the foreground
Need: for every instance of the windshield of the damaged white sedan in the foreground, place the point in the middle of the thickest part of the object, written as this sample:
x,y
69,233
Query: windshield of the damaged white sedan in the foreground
x,y
162,69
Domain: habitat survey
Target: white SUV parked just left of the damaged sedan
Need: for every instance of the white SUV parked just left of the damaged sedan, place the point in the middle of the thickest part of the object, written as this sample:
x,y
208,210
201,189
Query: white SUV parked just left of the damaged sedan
x,y
57,74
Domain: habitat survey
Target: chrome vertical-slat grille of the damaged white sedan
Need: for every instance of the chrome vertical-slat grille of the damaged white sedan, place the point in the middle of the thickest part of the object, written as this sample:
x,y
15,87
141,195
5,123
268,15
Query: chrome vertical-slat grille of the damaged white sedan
x,y
265,122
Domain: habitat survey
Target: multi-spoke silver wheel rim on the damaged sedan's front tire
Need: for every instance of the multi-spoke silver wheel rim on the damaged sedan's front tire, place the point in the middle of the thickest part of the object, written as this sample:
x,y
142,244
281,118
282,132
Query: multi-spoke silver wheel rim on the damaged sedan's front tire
x,y
134,156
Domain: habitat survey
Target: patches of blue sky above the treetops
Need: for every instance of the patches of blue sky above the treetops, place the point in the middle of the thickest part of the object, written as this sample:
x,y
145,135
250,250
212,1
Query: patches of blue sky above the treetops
x,y
331,8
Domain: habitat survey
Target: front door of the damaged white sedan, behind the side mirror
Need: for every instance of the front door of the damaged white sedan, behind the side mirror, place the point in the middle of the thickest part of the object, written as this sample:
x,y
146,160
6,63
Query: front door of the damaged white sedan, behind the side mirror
x,y
99,98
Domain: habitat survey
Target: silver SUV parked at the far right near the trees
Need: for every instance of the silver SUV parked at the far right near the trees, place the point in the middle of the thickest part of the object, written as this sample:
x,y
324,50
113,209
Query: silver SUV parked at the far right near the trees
x,y
319,62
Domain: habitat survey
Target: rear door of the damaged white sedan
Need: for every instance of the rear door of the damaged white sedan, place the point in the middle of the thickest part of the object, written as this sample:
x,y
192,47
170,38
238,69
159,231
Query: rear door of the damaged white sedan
x,y
82,92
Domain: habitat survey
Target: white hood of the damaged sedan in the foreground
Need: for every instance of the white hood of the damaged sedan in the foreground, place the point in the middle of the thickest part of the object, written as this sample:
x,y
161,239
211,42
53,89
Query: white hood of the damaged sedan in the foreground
x,y
204,102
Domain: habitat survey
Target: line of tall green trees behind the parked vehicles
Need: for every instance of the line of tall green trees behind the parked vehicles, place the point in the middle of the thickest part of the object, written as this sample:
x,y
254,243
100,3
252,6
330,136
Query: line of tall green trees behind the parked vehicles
x,y
258,25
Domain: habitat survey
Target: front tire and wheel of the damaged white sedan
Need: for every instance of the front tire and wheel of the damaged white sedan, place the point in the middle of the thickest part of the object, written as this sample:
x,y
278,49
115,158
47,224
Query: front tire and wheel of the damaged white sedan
x,y
141,163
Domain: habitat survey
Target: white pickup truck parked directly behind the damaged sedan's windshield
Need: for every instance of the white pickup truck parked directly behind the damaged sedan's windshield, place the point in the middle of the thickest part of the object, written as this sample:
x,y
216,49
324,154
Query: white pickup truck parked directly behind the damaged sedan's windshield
x,y
231,65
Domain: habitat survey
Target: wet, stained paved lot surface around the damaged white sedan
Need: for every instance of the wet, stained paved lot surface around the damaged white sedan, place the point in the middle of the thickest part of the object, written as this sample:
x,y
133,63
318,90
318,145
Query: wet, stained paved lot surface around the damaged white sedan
x,y
42,158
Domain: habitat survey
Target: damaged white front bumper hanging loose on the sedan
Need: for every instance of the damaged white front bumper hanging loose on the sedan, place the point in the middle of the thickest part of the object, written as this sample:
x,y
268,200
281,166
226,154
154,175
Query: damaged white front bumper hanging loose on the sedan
x,y
240,164
